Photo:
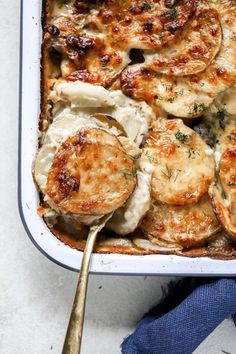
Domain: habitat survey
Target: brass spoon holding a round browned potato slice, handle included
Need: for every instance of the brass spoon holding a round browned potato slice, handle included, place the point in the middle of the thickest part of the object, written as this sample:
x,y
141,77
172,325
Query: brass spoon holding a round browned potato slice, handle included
x,y
88,176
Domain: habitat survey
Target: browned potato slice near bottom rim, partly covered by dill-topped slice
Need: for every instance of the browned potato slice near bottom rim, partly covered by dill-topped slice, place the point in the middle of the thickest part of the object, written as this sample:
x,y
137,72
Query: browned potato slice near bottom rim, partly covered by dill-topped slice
x,y
187,225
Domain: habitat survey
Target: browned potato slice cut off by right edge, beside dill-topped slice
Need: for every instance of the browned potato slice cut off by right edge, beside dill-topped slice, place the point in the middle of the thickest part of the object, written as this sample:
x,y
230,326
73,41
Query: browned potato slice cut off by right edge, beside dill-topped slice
x,y
223,191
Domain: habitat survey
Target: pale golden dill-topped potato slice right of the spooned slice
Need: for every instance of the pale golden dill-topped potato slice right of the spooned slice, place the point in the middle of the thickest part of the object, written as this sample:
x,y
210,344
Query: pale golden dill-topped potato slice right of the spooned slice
x,y
183,165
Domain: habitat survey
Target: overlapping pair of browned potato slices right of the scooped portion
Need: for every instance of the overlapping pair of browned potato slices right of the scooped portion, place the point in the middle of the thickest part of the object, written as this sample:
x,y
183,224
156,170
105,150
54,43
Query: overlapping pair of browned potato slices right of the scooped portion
x,y
183,169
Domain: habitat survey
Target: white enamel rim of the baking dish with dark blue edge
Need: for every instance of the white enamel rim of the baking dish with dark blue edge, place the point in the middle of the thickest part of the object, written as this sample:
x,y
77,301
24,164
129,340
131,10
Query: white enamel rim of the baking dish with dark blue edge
x,y
35,227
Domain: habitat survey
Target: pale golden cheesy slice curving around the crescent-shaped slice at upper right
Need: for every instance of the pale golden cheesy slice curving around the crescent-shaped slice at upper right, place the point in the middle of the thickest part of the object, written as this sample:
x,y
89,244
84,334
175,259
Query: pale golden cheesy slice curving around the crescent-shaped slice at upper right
x,y
189,96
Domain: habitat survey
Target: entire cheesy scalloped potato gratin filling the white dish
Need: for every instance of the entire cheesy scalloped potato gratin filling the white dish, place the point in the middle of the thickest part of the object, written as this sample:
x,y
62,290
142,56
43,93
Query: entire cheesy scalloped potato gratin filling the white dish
x,y
138,120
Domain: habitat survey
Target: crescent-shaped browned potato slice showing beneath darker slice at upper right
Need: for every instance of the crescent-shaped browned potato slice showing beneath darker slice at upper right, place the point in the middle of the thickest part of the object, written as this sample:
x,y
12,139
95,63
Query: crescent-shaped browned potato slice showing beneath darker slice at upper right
x,y
193,51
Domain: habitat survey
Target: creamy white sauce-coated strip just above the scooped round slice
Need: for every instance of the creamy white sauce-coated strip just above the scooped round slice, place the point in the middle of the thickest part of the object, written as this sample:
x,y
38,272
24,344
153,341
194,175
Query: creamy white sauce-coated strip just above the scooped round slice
x,y
133,116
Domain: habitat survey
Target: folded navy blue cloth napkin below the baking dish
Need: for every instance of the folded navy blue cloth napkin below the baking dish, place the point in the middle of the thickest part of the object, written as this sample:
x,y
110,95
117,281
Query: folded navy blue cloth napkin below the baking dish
x,y
192,309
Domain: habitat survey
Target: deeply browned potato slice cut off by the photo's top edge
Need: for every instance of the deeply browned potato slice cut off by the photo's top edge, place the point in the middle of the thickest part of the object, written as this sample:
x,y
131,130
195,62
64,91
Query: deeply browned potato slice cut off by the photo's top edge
x,y
143,25
